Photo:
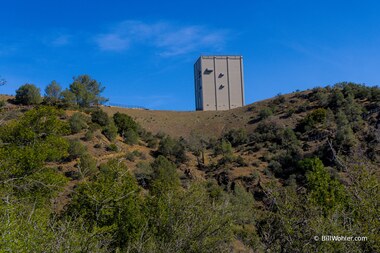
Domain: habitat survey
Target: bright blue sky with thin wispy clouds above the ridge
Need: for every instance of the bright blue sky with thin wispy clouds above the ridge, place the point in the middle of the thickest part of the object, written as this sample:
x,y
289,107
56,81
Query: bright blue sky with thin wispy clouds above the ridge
x,y
143,51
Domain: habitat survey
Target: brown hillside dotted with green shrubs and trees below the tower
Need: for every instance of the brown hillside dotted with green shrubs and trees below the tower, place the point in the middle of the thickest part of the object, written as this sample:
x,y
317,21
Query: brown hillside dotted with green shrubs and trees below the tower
x,y
256,174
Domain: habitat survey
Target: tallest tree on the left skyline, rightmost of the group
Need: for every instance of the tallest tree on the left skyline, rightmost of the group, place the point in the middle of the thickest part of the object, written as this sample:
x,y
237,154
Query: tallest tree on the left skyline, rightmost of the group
x,y
87,91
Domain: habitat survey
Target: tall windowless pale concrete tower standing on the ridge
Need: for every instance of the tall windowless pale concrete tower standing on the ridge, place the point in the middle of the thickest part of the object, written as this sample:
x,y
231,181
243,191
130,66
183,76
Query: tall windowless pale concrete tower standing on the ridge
x,y
219,83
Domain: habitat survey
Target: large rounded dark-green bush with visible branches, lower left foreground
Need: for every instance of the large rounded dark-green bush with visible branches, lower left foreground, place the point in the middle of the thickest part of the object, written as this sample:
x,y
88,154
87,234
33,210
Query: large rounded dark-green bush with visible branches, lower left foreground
x,y
111,204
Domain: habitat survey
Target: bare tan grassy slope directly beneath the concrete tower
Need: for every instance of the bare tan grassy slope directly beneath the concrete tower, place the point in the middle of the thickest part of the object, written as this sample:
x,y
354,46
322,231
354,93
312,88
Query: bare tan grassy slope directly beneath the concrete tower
x,y
207,123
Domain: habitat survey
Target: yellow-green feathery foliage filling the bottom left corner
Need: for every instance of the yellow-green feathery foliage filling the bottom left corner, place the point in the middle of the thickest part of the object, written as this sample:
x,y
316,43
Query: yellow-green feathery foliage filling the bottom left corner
x,y
26,228
